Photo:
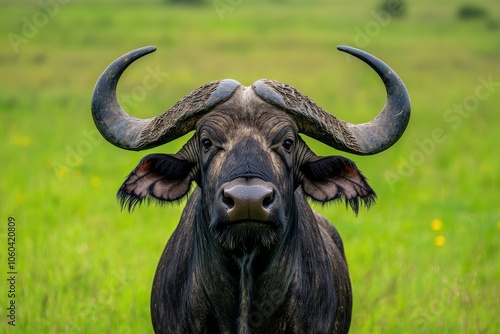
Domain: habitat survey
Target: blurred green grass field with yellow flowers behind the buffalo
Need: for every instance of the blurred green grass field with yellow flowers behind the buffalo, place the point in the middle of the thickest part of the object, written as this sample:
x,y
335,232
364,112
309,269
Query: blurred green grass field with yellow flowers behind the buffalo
x,y
425,259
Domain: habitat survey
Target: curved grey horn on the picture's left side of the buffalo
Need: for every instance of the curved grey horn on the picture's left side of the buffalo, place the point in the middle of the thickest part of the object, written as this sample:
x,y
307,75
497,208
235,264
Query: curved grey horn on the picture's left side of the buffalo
x,y
131,133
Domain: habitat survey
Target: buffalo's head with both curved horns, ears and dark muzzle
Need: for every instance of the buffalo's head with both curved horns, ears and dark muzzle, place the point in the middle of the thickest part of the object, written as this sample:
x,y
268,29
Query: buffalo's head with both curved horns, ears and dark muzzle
x,y
246,154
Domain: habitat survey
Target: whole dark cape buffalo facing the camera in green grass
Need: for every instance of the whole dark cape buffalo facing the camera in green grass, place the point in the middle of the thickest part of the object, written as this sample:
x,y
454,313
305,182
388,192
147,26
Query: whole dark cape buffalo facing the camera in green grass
x,y
249,255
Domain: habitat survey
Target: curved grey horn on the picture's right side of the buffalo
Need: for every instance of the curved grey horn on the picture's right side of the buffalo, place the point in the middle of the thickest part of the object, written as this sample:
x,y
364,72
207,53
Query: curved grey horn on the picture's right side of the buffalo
x,y
363,139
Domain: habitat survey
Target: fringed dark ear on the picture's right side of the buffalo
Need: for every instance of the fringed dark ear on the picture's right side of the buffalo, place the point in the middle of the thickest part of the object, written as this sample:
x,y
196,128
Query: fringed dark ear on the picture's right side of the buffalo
x,y
336,178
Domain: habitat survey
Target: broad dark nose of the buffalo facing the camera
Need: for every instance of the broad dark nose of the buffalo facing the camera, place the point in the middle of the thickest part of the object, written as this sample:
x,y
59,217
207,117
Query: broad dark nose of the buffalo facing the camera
x,y
248,202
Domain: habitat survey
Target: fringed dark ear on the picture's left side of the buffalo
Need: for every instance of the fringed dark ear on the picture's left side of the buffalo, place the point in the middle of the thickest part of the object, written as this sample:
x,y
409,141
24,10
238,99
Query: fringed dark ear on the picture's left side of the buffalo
x,y
163,177
